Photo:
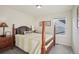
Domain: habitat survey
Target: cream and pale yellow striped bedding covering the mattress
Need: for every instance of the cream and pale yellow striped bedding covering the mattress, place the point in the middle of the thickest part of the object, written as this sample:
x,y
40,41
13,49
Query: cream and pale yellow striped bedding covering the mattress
x,y
30,42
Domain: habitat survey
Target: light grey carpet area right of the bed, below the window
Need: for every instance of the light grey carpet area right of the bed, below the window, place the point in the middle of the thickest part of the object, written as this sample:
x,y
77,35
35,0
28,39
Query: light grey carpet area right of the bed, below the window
x,y
61,49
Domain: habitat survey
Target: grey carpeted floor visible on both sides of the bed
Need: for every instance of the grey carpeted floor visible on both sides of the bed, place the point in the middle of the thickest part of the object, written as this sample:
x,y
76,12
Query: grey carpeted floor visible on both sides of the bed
x,y
58,49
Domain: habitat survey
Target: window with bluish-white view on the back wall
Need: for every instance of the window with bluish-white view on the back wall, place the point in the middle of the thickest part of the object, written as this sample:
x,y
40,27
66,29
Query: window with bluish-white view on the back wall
x,y
60,25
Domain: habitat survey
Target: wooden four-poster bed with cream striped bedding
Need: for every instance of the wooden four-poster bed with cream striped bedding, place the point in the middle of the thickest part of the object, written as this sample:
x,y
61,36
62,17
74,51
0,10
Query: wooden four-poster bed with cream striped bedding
x,y
32,42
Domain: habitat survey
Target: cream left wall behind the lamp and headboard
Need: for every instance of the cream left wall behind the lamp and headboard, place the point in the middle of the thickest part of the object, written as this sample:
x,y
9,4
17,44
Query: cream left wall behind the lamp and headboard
x,y
12,16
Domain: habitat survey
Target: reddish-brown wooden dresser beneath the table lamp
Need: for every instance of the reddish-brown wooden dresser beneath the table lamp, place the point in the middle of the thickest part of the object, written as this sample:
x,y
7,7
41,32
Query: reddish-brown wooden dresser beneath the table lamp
x,y
6,42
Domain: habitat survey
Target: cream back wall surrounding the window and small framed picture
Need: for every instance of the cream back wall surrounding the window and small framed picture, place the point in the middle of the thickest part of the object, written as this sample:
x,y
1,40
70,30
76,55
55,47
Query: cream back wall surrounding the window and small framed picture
x,y
66,39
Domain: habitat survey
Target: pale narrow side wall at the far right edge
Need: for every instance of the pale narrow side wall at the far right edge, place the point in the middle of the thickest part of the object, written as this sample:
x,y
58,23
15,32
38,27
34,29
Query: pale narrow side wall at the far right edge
x,y
75,35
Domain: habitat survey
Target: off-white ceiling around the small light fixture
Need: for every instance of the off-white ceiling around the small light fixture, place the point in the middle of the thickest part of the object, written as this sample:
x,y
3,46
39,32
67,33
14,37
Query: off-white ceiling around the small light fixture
x,y
45,10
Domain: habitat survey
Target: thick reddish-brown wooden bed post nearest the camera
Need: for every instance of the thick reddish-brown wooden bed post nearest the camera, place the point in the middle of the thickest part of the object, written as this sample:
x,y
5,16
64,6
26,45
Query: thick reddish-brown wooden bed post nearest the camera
x,y
43,50
